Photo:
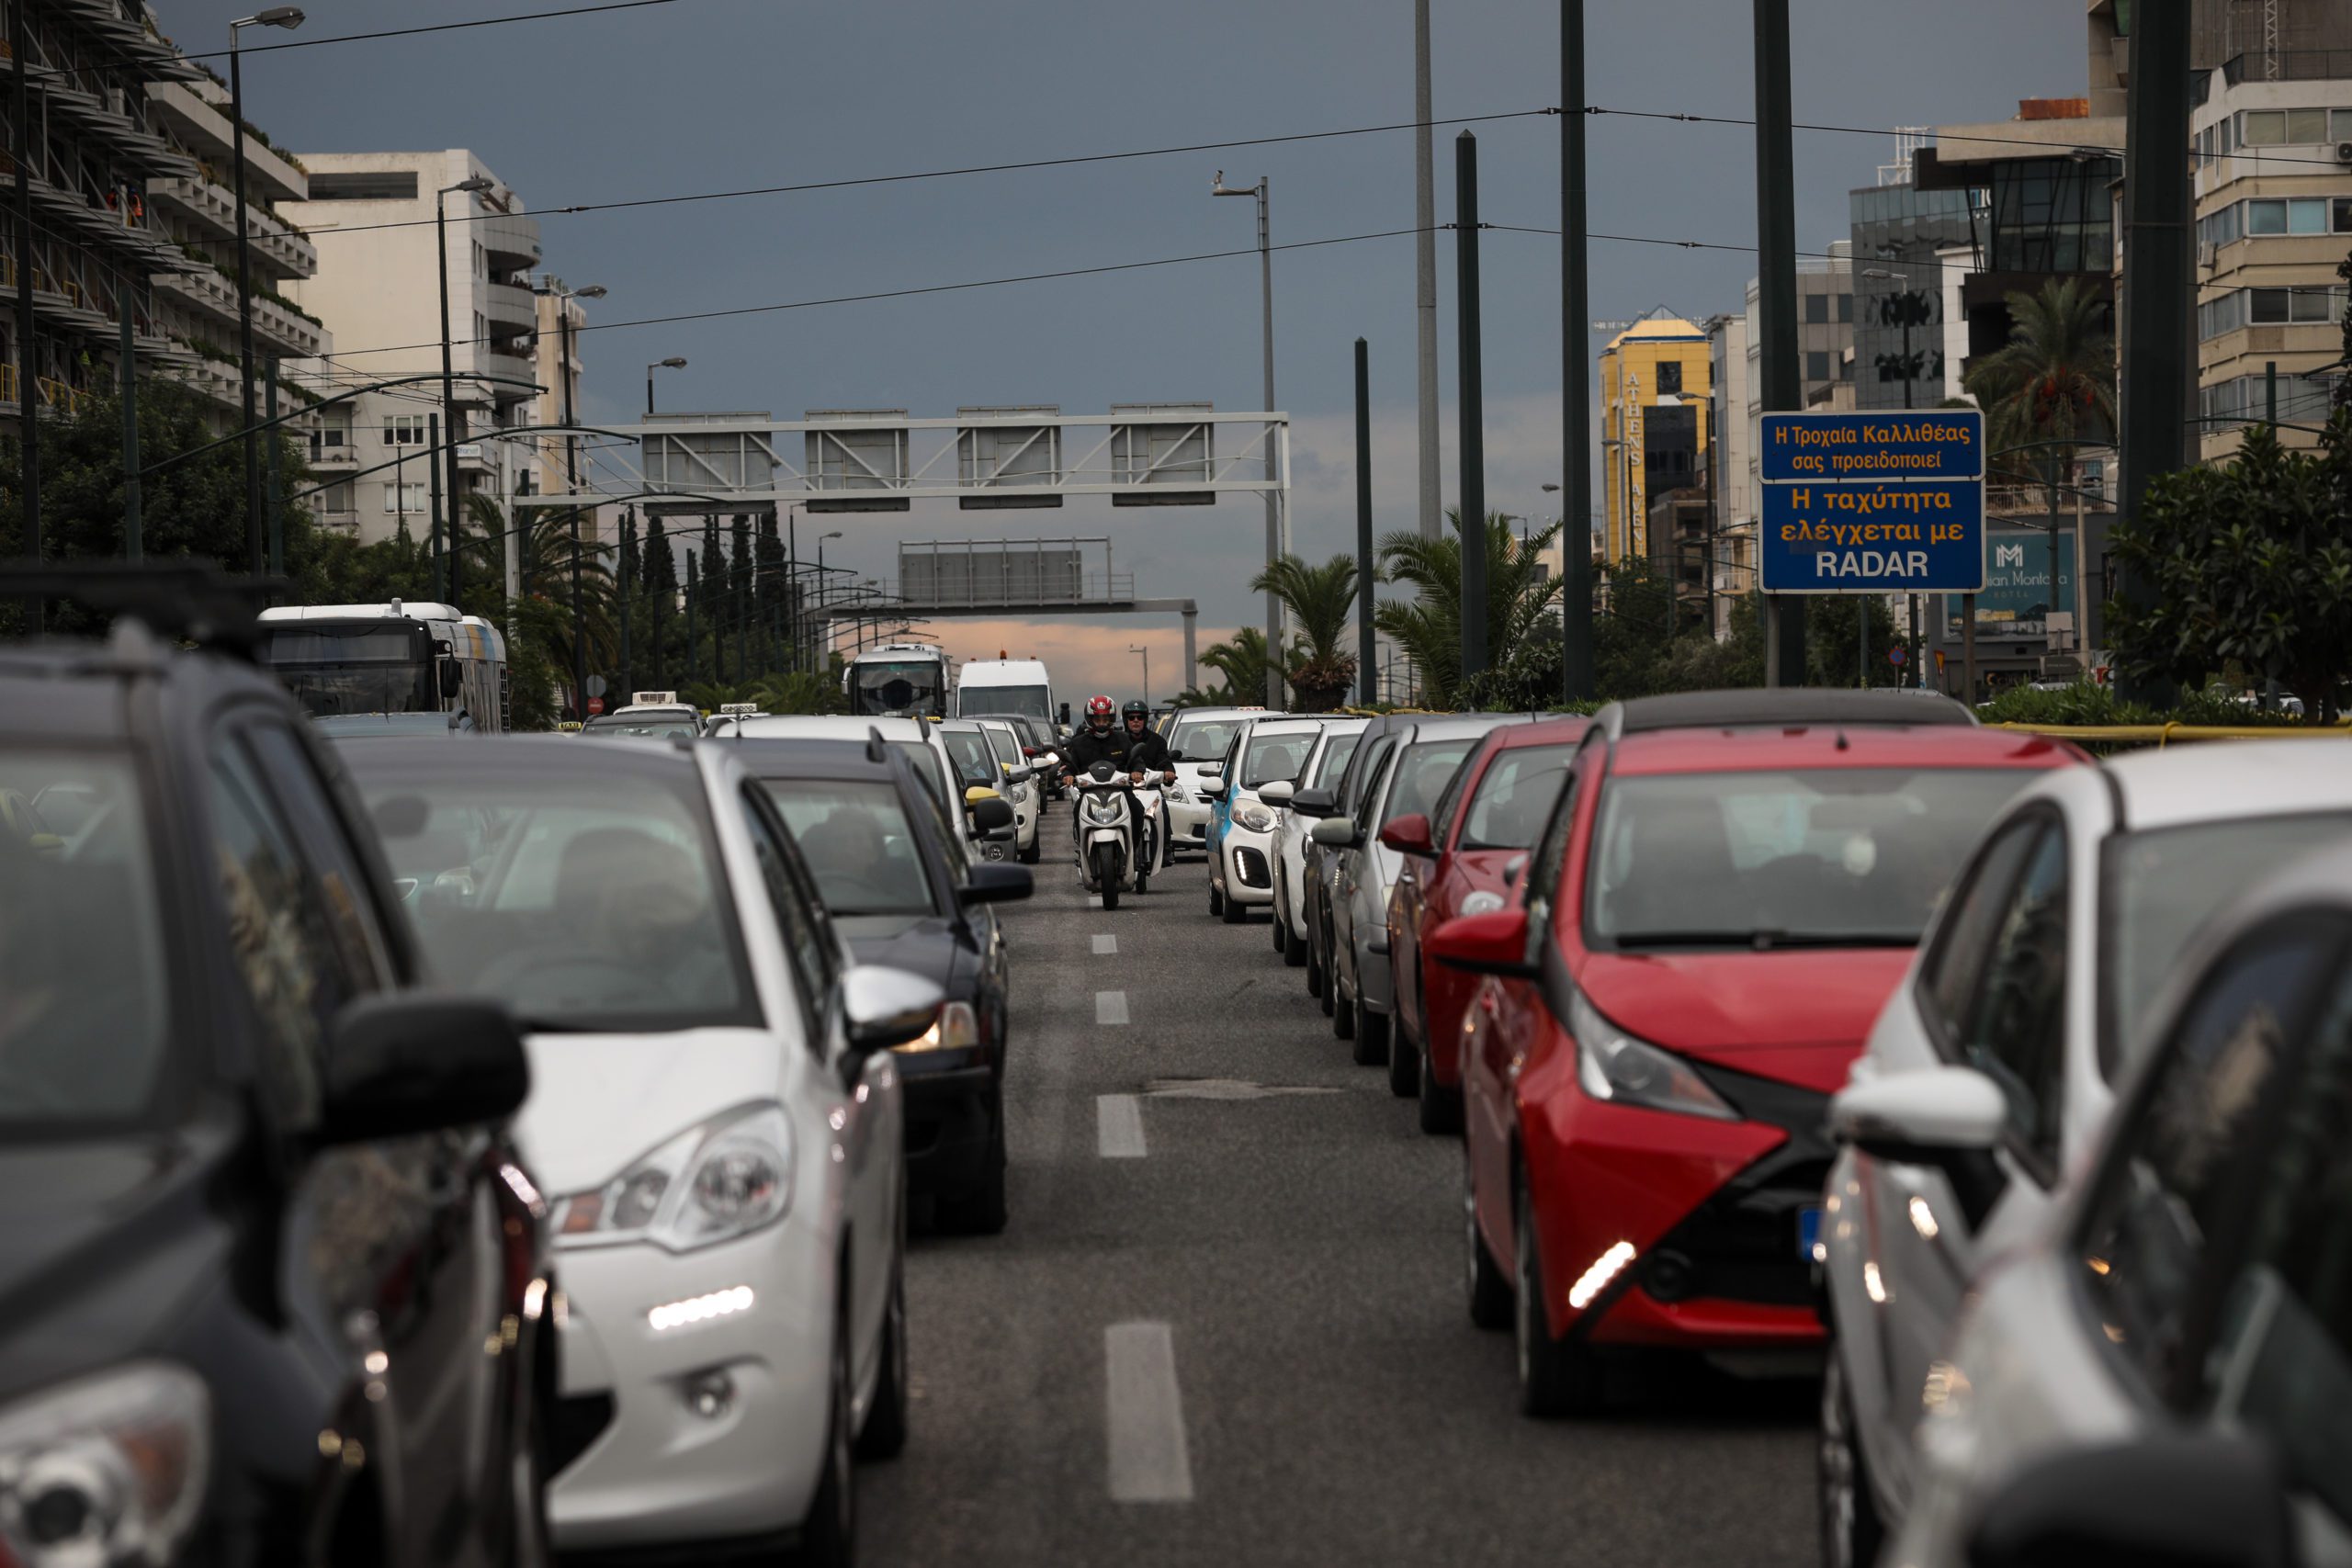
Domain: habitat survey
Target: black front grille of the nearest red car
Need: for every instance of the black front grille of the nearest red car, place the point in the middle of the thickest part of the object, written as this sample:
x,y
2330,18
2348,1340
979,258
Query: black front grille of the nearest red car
x,y
1742,1245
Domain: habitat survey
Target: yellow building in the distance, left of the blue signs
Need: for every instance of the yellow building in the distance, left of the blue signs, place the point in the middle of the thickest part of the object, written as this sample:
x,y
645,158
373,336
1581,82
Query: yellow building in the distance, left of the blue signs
x,y
1655,424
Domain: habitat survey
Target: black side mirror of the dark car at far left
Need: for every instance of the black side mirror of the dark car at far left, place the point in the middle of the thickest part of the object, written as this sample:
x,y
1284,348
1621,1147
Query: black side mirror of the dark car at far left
x,y
408,1064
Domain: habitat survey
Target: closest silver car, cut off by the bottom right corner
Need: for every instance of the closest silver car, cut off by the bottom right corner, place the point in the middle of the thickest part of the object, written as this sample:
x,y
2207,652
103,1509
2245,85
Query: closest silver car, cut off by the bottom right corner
x,y
2163,1372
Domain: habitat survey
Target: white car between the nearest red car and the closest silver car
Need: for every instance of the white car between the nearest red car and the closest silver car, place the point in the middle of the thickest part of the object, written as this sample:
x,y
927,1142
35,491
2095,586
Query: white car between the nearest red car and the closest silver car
x,y
2038,974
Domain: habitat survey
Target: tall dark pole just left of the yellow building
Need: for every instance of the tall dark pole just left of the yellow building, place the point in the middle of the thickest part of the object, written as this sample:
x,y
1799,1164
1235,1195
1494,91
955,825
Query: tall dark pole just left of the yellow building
x,y
1575,375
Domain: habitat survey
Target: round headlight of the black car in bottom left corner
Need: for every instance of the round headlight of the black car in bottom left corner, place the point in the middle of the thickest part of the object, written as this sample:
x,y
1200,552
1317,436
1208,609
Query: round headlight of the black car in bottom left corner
x,y
105,1470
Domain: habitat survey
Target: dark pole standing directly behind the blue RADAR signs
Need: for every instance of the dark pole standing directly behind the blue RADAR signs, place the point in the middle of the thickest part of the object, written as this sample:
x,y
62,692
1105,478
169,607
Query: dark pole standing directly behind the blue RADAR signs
x,y
1777,300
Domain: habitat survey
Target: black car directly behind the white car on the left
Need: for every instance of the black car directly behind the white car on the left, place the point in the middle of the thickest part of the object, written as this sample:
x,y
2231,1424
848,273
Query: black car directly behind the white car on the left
x,y
904,890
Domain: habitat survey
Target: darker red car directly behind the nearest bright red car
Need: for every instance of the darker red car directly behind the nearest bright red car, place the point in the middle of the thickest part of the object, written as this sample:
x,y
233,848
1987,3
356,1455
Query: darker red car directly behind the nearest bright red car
x,y
1459,862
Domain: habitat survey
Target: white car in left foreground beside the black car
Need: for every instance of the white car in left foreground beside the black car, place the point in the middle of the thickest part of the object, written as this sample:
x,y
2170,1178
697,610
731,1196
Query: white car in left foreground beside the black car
x,y
716,1115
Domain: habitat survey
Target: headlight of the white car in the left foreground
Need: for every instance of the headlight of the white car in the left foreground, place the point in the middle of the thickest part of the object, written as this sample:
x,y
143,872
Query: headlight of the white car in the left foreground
x,y
711,1184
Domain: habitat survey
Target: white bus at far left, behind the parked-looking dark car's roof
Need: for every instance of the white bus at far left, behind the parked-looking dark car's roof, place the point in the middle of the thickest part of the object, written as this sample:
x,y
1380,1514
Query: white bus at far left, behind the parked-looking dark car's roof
x,y
389,659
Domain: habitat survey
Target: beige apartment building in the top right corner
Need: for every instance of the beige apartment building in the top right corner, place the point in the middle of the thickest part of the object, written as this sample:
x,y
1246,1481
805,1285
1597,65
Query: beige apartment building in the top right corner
x,y
2273,225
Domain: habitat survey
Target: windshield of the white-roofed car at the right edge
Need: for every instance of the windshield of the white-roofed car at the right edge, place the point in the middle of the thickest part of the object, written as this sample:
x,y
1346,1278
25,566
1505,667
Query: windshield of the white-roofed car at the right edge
x,y
2151,916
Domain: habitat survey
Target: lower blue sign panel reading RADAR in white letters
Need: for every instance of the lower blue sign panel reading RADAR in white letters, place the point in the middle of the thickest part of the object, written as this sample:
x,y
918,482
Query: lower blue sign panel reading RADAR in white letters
x,y
1880,537
